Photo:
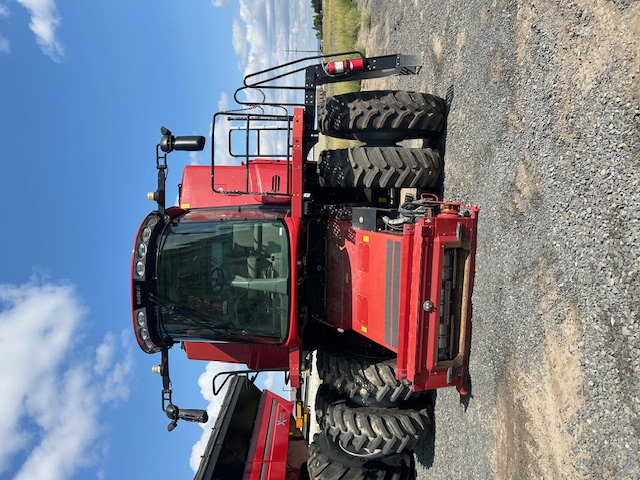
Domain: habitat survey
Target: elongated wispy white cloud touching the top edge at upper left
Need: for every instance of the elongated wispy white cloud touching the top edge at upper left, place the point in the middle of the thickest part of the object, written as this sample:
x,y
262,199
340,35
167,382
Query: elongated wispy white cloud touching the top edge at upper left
x,y
44,21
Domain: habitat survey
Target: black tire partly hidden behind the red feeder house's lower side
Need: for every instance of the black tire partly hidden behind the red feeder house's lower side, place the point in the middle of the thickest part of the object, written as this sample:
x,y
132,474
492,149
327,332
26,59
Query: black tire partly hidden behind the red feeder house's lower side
x,y
362,379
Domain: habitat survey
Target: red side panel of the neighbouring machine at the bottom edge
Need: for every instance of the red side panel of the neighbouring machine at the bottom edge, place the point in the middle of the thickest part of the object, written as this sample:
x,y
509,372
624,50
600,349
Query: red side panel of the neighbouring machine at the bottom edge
x,y
269,443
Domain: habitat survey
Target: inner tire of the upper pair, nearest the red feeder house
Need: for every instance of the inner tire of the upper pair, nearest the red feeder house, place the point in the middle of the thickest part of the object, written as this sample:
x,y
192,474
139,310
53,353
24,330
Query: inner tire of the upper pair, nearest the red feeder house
x,y
380,167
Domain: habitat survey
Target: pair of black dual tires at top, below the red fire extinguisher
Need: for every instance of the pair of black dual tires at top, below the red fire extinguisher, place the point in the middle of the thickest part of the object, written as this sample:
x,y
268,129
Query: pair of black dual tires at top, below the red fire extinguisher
x,y
381,119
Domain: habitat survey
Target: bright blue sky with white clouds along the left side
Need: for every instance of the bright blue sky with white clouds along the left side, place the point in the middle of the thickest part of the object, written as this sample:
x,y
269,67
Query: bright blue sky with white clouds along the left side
x,y
84,89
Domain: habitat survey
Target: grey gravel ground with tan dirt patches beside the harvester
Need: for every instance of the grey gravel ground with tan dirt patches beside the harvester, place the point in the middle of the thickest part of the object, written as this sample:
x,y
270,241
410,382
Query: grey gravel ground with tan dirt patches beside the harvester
x,y
543,136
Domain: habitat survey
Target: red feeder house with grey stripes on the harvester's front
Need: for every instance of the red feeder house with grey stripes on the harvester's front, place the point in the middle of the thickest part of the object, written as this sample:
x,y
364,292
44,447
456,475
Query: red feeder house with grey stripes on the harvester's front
x,y
378,283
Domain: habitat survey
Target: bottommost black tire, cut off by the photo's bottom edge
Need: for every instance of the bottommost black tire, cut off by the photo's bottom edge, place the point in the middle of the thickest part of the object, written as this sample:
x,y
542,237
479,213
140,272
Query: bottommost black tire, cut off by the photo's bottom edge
x,y
328,462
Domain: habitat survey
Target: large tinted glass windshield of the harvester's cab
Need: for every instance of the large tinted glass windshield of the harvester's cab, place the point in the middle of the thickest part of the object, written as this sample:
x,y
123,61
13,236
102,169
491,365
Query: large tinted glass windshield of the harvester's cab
x,y
224,281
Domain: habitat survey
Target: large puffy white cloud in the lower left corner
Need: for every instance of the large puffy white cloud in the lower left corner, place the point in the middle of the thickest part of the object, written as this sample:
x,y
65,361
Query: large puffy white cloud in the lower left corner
x,y
48,383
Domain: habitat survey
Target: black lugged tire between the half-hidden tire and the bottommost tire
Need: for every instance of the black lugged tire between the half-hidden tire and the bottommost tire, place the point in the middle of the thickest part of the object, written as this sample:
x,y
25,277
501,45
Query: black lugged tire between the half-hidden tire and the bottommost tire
x,y
371,432
